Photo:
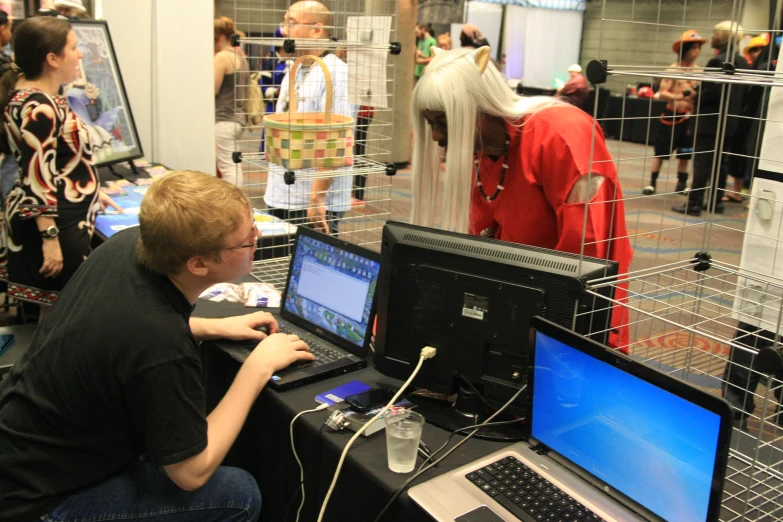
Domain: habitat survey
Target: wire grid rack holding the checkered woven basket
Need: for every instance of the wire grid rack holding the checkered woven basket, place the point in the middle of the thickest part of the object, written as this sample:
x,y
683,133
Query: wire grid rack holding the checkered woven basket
x,y
362,36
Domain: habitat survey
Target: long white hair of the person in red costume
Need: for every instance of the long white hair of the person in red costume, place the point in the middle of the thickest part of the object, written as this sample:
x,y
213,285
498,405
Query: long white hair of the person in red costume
x,y
463,83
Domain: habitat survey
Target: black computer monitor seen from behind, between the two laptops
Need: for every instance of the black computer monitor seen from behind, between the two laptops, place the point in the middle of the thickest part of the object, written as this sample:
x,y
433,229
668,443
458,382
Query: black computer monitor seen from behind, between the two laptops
x,y
472,298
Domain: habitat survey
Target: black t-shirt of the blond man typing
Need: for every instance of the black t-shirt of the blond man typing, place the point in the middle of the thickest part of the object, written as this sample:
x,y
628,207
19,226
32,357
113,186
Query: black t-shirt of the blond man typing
x,y
113,372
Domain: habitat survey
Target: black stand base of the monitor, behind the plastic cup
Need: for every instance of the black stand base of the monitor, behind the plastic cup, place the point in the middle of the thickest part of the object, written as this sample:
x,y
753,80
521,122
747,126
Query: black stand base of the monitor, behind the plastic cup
x,y
466,411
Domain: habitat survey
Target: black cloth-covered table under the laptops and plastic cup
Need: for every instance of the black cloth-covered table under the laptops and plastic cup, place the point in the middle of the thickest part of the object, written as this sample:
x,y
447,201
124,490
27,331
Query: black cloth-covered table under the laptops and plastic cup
x,y
263,447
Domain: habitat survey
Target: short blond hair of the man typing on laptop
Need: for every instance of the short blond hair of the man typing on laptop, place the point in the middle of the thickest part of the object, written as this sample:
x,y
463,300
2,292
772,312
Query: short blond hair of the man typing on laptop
x,y
186,214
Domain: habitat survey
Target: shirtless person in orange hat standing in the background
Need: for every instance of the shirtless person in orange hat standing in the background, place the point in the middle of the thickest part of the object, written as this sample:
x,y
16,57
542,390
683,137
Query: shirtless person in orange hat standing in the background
x,y
676,131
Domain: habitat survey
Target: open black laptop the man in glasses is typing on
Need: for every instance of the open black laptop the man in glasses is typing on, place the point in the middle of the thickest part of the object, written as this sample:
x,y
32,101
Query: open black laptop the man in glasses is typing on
x,y
329,301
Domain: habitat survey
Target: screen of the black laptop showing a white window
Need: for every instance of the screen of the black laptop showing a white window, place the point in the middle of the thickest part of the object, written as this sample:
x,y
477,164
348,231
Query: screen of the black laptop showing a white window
x,y
332,288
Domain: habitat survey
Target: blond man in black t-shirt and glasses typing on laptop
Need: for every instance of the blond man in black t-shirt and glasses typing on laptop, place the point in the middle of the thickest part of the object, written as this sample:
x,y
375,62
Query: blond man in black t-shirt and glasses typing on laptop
x,y
104,416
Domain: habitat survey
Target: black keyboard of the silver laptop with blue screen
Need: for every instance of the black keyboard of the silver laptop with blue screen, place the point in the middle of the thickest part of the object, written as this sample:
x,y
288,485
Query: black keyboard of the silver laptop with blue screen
x,y
527,494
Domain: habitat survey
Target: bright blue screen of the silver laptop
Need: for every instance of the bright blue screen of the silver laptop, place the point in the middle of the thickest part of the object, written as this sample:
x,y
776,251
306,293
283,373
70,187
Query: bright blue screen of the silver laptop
x,y
649,444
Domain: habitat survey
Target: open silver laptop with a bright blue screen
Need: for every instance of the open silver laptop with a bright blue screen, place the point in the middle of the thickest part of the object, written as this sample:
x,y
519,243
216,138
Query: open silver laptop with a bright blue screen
x,y
609,439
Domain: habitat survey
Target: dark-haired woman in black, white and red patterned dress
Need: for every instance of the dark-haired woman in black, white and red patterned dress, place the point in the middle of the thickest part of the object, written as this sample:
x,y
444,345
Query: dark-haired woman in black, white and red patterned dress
x,y
50,214
